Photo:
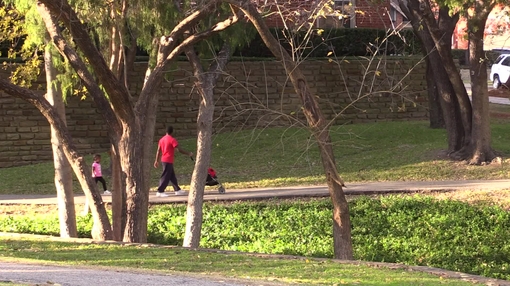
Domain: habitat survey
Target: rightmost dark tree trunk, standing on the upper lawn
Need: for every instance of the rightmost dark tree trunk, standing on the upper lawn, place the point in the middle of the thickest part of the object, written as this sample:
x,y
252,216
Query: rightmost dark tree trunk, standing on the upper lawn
x,y
479,150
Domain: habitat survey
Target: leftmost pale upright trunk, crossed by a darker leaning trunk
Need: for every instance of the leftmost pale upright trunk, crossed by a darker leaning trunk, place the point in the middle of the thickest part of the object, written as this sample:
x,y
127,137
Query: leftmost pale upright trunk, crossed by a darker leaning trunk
x,y
63,171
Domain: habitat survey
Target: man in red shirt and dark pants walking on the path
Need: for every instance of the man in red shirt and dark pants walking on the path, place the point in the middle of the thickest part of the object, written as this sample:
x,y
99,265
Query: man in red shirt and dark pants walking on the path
x,y
166,147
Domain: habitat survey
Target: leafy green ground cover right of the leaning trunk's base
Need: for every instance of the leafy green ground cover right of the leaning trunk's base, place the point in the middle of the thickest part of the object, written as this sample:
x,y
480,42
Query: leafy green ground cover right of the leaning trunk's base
x,y
423,231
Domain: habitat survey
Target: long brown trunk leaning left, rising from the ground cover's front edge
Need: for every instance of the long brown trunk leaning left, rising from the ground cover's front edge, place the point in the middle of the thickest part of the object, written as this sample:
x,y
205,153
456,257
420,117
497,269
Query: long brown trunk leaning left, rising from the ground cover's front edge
x,y
319,126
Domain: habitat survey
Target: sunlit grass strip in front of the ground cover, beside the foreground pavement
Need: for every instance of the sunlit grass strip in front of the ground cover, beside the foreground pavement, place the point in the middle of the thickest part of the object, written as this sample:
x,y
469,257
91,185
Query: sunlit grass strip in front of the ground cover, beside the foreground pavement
x,y
262,268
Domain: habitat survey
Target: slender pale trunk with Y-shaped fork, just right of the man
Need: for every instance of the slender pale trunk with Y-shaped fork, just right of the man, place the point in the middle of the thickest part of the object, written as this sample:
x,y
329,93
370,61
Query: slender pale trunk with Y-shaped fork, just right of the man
x,y
205,83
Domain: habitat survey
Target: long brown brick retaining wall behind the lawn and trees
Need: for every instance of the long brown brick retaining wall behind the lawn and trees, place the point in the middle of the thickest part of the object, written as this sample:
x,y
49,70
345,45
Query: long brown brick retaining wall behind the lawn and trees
x,y
249,94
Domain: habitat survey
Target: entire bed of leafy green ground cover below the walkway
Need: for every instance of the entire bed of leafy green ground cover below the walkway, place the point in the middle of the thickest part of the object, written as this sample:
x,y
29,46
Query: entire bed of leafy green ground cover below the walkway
x,y
414,230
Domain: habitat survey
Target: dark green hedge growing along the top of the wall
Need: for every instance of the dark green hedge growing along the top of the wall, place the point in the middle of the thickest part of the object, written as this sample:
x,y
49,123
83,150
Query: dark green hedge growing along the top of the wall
x,y
342,42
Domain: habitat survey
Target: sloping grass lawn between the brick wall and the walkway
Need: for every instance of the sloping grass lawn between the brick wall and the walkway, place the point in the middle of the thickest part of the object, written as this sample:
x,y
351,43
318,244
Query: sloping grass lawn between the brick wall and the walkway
x,y
382,151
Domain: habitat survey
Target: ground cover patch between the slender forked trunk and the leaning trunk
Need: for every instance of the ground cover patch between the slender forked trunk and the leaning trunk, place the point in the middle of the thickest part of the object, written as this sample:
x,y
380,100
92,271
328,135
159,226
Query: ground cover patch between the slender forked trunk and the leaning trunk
x,y
275,227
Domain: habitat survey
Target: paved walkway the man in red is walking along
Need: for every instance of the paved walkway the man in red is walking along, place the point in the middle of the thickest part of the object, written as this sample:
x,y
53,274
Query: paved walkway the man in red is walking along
x,y
302,191
